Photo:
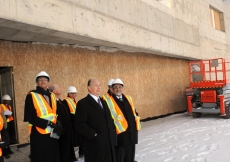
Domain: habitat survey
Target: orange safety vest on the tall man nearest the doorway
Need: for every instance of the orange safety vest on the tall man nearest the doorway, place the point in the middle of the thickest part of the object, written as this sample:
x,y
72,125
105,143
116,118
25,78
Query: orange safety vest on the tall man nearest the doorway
x,y
44,111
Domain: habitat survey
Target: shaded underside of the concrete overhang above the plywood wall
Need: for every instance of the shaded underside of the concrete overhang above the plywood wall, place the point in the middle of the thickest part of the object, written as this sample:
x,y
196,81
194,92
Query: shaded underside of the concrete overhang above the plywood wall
x,y
20,32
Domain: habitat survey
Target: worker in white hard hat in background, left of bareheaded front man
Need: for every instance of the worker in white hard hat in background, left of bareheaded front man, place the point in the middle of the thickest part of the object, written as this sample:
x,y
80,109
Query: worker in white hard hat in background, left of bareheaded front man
x,y
70,103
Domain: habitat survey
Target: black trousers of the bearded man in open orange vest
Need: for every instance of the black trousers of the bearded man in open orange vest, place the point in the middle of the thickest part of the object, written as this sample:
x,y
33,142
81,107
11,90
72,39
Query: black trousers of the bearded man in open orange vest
x,y
125,153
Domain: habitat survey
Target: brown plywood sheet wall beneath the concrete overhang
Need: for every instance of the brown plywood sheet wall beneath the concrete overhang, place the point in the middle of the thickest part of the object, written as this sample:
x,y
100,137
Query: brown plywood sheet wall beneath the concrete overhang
x,y
156,83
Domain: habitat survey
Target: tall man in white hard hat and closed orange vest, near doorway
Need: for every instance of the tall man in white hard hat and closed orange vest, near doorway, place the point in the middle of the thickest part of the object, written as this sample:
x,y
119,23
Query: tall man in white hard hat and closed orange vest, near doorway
x,y
40,113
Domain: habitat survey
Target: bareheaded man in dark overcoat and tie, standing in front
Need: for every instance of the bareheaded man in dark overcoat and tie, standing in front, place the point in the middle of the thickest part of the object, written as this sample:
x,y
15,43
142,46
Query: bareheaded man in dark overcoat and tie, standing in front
x,y
94,122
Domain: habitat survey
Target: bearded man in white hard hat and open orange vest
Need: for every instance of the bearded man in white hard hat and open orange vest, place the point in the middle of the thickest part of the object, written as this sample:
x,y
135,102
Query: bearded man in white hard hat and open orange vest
x,y
126,121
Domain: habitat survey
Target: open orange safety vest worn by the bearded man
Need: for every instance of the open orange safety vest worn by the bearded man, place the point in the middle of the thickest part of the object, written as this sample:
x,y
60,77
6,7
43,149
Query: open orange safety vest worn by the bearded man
x,y
119,120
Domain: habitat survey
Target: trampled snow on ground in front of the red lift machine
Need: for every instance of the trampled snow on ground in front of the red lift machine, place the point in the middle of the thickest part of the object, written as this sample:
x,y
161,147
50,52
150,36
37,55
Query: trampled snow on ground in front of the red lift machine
x,y
181,138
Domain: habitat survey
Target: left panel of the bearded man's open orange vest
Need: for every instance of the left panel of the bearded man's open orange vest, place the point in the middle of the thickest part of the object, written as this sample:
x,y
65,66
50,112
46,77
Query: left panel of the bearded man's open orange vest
x,y
116,113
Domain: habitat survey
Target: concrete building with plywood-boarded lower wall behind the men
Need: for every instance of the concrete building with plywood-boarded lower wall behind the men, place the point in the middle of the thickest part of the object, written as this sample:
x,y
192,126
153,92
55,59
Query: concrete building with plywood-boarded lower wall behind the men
x,y
146,43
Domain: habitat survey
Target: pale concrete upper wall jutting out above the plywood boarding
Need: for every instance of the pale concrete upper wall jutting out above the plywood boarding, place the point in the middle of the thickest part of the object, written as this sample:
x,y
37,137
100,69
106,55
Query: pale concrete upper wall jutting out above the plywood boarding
x,y
138,25
